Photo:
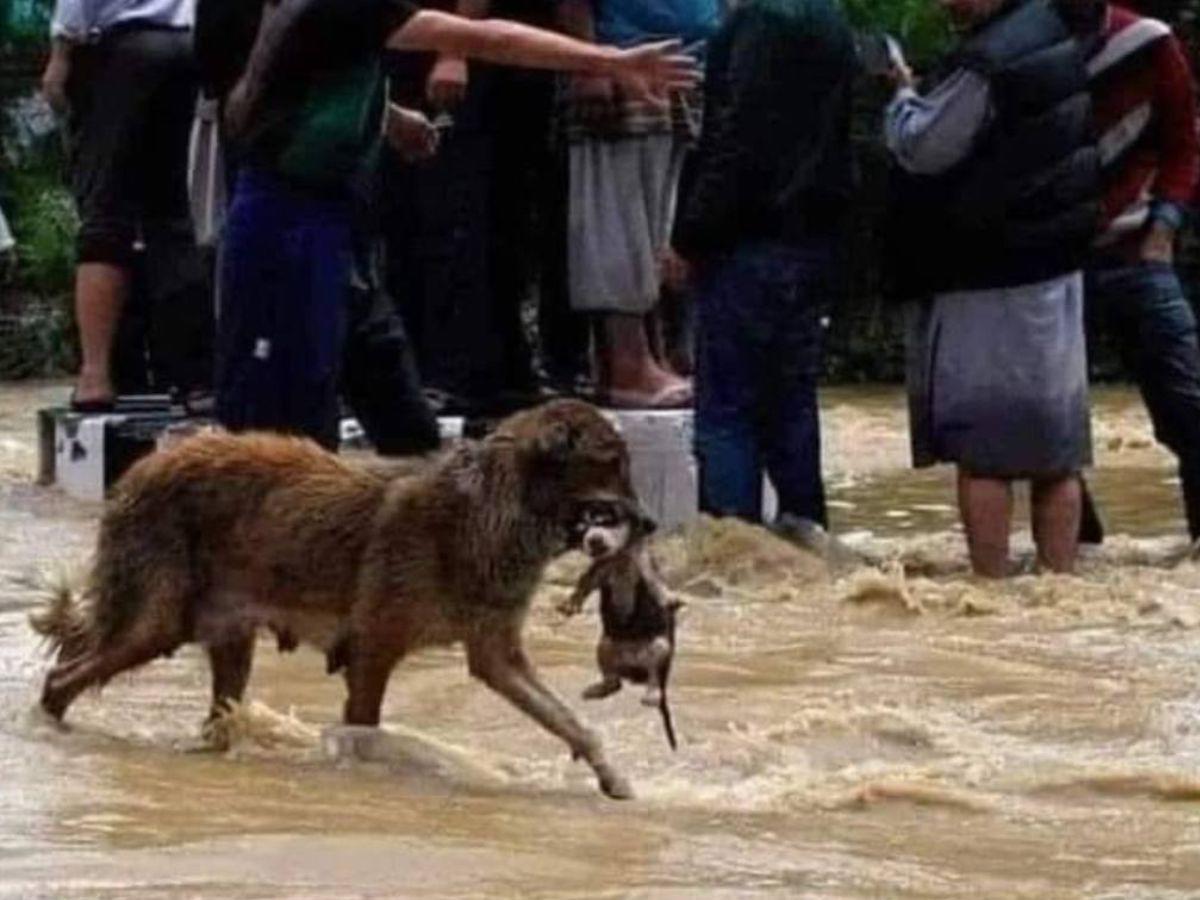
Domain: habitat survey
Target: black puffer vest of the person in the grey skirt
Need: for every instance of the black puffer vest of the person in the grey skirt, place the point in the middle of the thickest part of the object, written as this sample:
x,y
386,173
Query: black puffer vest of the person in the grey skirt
x,y
1024,207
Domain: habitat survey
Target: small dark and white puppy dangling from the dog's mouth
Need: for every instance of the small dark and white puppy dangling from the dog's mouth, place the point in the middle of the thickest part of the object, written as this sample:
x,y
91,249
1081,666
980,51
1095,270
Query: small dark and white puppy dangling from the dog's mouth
x,y
639,617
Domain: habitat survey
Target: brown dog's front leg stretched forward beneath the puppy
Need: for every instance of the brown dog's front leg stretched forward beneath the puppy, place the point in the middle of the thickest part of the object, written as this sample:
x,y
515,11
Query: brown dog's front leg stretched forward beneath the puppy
x,y
501,663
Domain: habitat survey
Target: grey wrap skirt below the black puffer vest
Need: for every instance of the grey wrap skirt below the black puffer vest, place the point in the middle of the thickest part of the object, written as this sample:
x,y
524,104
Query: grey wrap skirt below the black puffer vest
x,y
998,381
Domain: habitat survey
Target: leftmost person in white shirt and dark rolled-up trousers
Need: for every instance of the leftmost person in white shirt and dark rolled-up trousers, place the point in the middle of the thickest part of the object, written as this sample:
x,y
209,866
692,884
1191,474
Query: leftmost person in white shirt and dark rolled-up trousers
x,y
122,71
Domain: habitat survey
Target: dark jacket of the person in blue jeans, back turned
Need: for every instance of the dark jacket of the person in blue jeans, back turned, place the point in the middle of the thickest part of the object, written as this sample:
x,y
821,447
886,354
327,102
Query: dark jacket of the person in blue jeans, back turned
x,y
775,157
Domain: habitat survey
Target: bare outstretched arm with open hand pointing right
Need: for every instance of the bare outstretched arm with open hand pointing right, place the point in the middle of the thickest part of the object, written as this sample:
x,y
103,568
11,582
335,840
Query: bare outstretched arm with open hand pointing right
x,y
647,71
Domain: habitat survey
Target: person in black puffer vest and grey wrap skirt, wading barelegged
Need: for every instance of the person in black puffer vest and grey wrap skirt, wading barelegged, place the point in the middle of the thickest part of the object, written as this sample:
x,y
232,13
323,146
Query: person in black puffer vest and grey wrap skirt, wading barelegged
x,y
1000,193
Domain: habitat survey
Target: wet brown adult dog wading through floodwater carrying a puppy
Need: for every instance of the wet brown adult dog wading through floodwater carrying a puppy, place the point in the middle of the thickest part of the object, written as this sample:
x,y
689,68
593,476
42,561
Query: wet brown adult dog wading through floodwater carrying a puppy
x,y
220,536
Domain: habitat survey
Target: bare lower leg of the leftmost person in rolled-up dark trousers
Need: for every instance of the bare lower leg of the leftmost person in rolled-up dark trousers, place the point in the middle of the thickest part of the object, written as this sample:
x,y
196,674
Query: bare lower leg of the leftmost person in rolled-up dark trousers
x,y
101,290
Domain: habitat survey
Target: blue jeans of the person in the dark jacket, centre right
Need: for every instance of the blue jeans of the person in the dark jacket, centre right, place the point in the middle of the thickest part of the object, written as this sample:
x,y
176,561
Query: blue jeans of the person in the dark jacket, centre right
x,y
759,355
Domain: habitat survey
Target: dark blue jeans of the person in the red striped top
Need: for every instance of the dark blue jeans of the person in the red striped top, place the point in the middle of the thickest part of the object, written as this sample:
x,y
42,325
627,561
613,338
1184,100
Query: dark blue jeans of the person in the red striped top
x,y
1148,311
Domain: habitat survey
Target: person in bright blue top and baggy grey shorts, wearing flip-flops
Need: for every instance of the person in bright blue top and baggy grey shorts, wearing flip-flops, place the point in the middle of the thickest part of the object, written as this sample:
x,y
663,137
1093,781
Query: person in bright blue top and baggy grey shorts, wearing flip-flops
x,y
626,161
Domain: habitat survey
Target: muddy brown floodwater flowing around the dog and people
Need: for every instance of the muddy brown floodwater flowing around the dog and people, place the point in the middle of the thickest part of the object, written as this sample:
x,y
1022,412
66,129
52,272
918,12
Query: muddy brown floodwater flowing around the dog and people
x,y
890,730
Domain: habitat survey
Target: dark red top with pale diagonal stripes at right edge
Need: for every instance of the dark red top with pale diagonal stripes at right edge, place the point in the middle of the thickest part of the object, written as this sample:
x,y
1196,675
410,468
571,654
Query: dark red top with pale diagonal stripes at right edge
x,y
1144,105
